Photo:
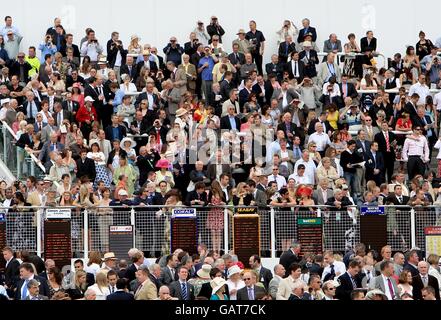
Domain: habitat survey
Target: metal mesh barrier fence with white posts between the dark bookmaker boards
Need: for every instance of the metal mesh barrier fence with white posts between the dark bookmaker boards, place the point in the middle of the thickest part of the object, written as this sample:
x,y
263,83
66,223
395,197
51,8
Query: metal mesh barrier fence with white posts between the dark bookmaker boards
x,y
24,228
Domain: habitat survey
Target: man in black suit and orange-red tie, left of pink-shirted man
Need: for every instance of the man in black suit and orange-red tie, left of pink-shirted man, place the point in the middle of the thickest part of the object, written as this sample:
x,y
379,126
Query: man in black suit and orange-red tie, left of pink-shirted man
x,y
386,139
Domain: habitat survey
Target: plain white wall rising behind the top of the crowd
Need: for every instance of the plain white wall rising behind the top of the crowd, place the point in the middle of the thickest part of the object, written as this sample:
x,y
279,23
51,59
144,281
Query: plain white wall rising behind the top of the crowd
x,y
395,23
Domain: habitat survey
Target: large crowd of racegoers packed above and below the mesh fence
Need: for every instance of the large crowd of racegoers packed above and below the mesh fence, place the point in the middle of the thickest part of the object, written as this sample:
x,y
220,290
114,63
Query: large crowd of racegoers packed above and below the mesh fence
x,y
210,124
